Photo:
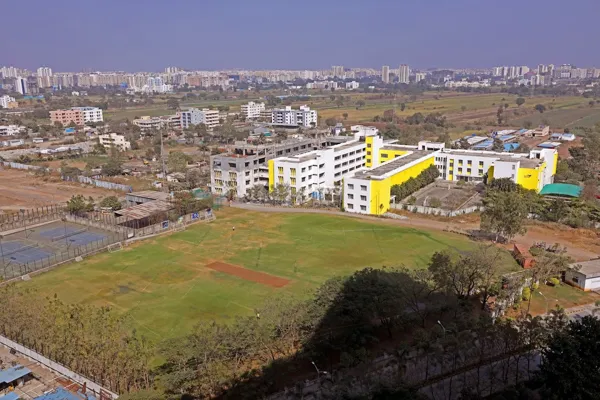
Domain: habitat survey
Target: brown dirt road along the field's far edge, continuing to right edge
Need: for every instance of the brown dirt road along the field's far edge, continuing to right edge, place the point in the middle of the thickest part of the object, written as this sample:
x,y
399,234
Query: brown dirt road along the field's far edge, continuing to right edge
x,y
581,244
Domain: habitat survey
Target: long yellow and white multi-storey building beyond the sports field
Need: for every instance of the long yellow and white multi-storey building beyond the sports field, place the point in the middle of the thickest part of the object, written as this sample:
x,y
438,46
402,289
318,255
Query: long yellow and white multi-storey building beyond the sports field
x,y
368,167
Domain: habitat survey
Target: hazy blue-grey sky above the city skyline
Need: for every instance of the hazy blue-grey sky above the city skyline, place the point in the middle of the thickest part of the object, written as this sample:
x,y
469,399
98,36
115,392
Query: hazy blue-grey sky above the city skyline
x,y
132,35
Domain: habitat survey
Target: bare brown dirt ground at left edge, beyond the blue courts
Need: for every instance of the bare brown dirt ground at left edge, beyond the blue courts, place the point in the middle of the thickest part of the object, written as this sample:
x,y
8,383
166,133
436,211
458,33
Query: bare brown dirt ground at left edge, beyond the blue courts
x,y
20,189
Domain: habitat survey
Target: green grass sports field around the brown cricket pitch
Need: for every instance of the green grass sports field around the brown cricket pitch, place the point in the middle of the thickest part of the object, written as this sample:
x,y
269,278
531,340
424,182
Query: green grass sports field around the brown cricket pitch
x,y
166,287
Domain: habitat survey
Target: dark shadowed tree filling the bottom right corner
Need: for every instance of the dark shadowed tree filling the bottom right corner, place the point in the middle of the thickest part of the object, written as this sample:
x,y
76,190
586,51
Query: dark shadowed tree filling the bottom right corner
x,y
568,371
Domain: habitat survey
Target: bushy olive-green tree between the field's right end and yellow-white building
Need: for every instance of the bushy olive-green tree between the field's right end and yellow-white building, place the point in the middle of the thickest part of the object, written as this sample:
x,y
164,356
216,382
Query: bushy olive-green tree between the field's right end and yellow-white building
x,y
504,214
